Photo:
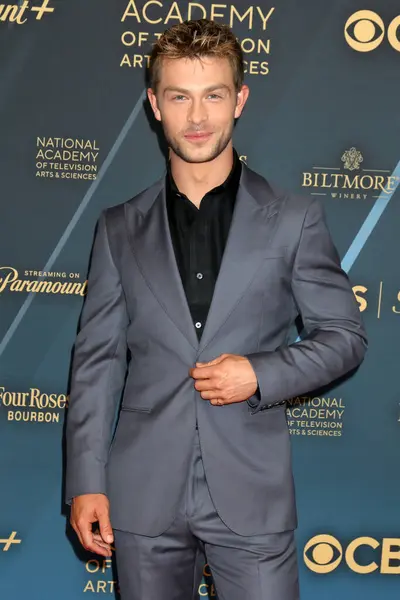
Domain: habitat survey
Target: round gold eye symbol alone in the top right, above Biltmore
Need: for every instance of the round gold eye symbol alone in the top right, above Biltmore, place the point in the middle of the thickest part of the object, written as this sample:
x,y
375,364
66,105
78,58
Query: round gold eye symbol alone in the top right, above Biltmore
x,y
364,31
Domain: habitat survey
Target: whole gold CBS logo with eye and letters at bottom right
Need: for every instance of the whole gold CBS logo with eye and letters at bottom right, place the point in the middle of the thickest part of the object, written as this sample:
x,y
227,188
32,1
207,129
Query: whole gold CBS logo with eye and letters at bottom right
x,y
363,555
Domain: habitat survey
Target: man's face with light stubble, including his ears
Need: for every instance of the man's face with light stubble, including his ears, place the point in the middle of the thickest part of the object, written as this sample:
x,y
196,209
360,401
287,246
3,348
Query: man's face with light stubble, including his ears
x,y
197,103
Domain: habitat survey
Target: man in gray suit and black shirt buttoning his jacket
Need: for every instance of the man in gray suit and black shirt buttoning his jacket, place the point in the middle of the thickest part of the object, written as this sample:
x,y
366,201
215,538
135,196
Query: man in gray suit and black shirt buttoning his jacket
x,y
193,288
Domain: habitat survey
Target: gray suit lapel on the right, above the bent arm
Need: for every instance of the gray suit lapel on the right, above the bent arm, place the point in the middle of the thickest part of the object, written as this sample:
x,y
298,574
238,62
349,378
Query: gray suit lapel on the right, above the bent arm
x,y
254,220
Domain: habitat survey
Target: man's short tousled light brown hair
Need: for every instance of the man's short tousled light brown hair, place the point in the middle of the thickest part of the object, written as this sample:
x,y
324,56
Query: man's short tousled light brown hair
x,y
197,39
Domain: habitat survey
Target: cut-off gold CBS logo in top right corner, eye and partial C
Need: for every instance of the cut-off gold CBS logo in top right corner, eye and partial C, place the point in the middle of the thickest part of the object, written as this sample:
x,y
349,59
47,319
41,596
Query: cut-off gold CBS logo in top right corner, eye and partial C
x,y
365,30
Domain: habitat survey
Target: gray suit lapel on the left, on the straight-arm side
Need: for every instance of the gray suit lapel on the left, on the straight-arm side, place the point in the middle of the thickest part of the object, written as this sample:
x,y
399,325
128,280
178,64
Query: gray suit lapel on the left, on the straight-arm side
x,y
152,246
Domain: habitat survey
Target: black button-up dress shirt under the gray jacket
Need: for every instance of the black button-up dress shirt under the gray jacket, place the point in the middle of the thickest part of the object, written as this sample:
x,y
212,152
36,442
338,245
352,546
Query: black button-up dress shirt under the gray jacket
x,y
199,237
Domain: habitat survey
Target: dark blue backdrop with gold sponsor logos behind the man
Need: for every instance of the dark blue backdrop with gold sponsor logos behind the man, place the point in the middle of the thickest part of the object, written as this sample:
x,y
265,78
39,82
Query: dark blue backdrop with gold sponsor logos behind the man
x,y
323,118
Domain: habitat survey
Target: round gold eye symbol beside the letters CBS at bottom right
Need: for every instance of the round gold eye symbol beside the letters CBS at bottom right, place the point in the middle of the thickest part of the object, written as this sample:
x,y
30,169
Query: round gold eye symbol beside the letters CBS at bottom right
x,y
322,554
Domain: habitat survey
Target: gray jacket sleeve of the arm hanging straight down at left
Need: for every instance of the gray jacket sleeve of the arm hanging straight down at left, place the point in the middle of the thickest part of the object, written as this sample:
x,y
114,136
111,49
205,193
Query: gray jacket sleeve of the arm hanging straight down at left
x,y
98,372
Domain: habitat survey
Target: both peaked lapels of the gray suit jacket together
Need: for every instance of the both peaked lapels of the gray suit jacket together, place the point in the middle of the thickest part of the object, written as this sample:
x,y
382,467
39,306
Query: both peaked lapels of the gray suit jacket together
x,y
253,223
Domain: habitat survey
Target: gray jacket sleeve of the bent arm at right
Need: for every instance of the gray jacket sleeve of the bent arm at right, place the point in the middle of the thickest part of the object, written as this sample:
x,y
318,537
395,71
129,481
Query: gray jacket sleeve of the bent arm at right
x,y
335,342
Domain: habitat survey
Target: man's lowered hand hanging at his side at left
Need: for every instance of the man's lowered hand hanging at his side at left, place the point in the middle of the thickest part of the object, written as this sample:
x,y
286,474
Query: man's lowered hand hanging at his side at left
x,y
86,510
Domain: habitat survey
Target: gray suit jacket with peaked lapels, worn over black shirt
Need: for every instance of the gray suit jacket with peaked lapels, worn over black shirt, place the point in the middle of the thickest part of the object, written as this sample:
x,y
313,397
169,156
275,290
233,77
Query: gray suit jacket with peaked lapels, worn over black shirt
x,y
137,339
